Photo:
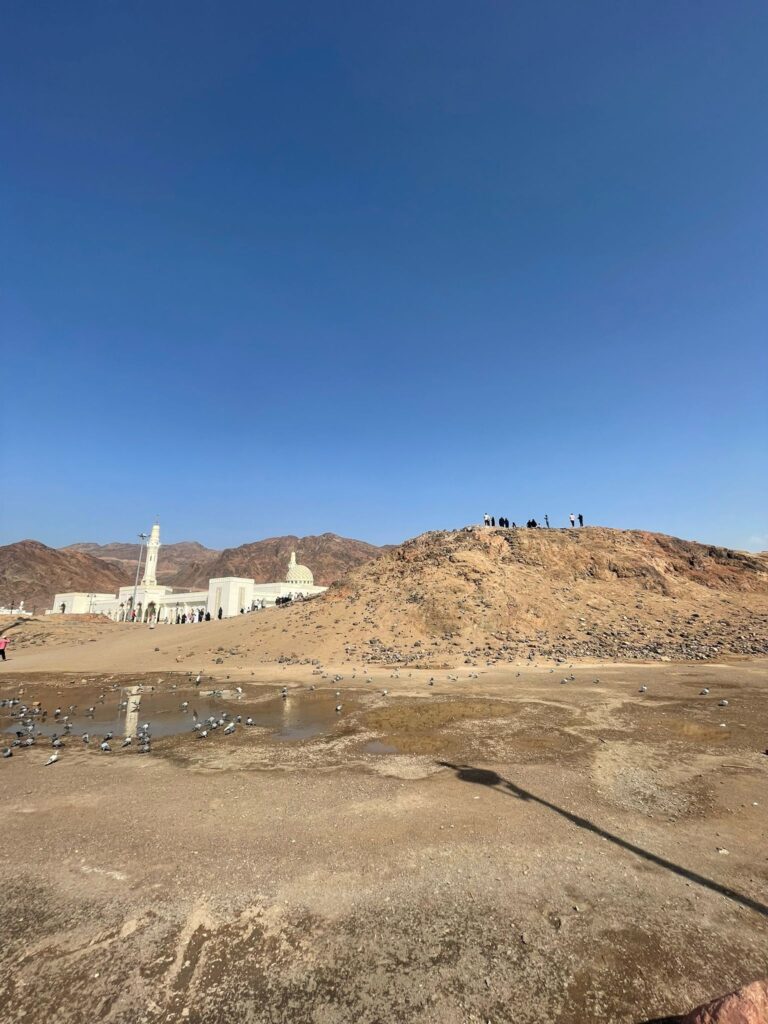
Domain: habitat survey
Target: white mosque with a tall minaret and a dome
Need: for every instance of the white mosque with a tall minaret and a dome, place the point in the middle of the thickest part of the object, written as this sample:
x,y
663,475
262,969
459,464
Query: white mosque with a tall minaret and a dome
x,y
150,603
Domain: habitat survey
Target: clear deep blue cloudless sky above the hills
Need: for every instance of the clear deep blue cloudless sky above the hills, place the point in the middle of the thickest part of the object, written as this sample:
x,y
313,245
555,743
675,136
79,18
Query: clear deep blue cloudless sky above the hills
x,y
379,268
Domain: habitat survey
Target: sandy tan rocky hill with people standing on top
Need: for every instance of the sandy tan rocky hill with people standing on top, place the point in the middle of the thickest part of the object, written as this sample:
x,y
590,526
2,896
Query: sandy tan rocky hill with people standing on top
x,y
479,596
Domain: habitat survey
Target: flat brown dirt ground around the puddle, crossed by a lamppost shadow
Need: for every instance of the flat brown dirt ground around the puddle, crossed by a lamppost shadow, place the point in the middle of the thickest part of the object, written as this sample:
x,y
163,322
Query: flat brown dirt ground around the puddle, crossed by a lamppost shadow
x,y
497,846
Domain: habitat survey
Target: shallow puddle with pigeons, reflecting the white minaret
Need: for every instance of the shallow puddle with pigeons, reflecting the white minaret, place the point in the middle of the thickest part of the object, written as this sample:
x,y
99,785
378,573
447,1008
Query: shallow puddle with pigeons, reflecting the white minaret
x,y
301,716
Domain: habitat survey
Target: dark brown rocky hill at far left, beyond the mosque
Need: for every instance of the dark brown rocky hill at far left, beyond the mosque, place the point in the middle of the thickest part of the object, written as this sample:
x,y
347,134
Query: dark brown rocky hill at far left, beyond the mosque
x,y
32,573
